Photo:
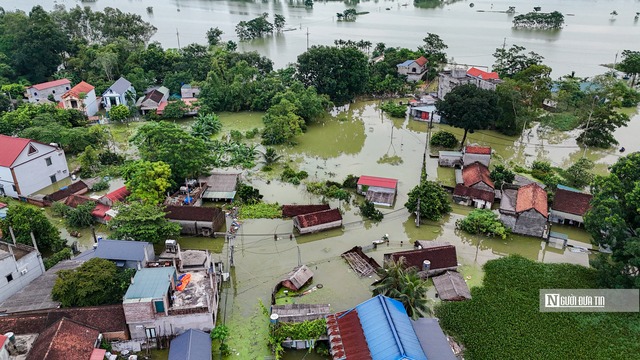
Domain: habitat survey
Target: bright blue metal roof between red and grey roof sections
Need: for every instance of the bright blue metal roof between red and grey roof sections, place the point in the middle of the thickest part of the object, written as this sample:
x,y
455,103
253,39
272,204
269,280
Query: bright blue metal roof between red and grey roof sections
x,y
388,330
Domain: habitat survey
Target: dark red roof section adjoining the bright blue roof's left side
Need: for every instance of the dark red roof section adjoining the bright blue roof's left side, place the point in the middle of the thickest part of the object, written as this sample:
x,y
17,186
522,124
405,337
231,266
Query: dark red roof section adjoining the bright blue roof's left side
x,y
346,336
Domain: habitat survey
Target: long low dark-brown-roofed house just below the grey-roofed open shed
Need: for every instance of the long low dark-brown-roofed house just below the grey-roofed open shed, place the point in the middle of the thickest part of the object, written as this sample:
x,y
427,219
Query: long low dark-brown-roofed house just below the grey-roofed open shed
x,y
194,220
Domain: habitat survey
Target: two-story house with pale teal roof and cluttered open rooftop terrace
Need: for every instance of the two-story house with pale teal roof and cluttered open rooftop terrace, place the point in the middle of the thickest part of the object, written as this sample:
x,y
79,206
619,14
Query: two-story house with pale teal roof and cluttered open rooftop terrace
x,y
160,301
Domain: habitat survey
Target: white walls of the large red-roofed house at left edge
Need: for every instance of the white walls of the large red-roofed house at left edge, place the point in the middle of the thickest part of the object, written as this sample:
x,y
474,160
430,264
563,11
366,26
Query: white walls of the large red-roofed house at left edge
x,y
32,172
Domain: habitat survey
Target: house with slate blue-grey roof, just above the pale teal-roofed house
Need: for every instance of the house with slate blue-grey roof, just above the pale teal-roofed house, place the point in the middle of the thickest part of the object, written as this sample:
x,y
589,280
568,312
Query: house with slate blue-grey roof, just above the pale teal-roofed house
x,y
124,253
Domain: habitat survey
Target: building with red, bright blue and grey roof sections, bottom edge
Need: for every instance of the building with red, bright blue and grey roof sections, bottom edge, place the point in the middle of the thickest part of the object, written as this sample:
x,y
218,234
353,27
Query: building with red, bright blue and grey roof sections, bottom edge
x,y
380,328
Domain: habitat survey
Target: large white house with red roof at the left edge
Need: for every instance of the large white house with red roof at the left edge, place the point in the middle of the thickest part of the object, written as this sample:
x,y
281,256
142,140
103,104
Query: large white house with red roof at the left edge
x,y
27,166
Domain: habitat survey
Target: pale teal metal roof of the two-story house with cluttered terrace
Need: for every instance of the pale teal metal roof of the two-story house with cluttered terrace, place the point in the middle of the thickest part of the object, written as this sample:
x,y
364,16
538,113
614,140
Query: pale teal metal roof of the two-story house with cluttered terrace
x,y
150,283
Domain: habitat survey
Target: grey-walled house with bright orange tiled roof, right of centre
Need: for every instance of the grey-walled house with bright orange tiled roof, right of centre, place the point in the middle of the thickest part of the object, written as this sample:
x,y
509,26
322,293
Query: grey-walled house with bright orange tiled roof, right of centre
x,y
525,210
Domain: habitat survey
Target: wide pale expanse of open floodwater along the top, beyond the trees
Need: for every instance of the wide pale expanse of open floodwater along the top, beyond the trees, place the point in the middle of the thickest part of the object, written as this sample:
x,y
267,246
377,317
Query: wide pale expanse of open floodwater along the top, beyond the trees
x,y
590,37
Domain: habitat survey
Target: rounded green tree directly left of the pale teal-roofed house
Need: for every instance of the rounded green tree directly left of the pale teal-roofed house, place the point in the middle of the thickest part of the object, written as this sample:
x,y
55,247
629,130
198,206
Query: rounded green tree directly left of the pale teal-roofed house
x,y
96,282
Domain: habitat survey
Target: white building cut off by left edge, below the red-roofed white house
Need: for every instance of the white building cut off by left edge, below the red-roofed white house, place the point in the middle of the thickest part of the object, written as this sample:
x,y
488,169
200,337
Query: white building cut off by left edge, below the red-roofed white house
x,y
19,266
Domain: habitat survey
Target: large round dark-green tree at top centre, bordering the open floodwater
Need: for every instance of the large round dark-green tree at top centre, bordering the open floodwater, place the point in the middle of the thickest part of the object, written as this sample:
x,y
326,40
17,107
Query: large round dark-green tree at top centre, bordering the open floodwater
x,y
341,73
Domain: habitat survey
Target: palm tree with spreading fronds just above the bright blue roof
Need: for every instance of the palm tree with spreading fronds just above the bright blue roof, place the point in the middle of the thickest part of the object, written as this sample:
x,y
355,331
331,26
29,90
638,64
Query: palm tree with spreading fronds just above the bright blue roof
x,y
405,285
